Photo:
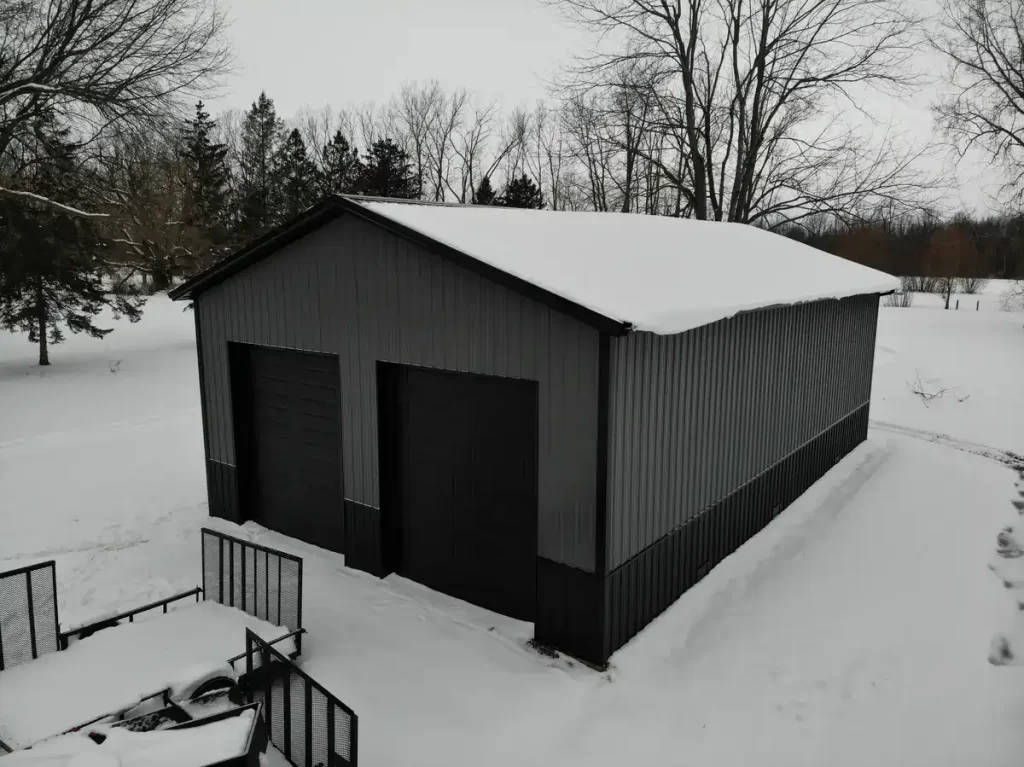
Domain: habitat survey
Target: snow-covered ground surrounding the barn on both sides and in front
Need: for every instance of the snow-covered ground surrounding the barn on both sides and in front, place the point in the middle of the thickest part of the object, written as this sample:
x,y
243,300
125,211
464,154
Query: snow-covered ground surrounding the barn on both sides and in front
x,y
854,631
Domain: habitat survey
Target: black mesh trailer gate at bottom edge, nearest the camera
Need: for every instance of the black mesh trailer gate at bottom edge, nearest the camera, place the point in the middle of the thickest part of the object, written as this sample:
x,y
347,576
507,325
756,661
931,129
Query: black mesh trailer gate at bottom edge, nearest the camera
x,y
309,726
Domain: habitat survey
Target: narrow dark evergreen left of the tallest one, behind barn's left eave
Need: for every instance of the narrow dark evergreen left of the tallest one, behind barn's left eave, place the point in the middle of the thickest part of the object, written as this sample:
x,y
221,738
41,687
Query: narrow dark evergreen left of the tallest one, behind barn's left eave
x,y
207,179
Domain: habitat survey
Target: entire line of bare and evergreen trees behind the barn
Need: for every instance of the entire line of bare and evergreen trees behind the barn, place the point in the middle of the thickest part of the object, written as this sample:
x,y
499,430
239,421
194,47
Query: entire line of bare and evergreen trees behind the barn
x,y
113,173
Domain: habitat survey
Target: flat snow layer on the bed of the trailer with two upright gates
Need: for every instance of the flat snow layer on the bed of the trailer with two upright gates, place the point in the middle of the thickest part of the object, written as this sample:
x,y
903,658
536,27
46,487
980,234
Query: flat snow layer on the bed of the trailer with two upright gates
x,y
116,668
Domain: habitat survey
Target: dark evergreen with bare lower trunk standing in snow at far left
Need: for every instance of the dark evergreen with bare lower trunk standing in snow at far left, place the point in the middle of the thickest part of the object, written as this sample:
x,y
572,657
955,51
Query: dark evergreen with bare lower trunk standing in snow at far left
x,y
51,267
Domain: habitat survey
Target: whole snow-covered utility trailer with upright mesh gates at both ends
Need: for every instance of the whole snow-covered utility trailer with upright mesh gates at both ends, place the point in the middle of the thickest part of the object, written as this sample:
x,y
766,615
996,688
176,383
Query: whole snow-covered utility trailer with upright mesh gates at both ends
x,y
156,657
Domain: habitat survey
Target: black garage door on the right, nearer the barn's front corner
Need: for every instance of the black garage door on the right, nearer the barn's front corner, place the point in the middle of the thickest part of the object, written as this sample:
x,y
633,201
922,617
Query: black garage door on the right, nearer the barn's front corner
x,y
461,451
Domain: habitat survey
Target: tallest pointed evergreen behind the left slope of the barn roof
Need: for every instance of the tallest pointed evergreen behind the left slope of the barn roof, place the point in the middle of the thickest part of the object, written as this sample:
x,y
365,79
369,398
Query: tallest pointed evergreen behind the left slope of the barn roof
x,y
262,138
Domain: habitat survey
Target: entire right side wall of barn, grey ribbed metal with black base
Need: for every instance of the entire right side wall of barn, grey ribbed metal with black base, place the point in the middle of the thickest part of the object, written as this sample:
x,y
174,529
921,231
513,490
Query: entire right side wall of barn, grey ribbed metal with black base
x,y
713,433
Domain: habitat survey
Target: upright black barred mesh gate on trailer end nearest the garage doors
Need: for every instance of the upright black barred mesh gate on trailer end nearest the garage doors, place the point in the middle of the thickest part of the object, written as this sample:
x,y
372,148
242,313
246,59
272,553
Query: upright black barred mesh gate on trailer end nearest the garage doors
x,y
263,582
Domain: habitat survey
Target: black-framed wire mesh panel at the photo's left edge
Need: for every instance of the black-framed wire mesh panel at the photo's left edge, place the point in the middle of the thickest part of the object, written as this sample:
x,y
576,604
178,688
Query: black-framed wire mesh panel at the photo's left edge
x,y
28,614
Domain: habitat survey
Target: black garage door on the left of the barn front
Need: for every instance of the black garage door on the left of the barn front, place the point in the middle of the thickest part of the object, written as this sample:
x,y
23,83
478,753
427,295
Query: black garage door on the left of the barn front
x,y
294,457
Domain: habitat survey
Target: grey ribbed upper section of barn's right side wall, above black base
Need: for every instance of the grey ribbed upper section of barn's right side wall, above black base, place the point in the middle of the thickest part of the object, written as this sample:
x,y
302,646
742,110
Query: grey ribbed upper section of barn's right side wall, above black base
x,y
697,415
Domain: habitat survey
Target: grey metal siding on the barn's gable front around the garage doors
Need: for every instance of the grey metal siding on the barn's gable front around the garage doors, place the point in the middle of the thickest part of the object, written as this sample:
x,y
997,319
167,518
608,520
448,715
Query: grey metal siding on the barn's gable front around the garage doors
x,y
357,291
